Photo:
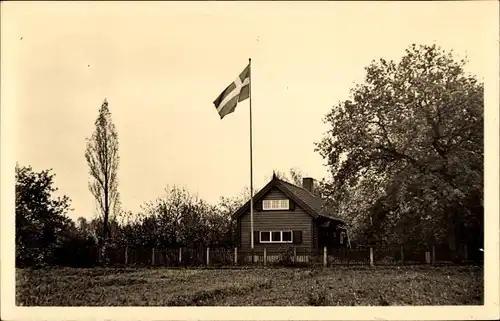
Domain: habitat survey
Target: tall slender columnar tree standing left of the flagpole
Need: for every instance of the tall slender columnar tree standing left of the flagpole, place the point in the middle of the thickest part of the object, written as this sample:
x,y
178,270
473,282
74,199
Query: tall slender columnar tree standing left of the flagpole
x,y
103,160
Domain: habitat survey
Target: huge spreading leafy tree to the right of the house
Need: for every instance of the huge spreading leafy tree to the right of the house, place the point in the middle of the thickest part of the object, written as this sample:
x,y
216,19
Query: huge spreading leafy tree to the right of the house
x,y
406,152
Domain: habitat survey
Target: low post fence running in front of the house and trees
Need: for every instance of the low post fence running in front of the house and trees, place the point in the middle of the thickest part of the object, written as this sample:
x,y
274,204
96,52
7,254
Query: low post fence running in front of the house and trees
x,y
294,256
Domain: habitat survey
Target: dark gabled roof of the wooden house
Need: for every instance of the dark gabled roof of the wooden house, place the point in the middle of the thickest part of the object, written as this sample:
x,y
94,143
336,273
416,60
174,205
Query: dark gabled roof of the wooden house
x,y
311,203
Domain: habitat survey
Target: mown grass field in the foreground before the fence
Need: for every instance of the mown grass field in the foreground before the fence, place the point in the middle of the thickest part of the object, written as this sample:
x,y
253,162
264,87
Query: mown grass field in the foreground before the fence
x,y
338,286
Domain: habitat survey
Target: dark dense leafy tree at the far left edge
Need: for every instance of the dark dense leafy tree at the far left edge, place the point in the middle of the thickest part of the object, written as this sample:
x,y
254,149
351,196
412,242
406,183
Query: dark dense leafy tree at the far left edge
x,y
41,222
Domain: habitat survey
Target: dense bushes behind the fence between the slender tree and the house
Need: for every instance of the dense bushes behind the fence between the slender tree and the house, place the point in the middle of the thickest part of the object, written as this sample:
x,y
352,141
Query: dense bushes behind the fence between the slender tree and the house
x,y
175,219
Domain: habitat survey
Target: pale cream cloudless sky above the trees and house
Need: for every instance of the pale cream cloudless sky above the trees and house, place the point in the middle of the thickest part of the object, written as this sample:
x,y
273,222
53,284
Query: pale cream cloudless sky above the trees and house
x,y
162,64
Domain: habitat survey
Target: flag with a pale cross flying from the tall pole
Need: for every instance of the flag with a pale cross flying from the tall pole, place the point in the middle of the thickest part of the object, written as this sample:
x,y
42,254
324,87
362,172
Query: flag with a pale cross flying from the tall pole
x,y
237,91
